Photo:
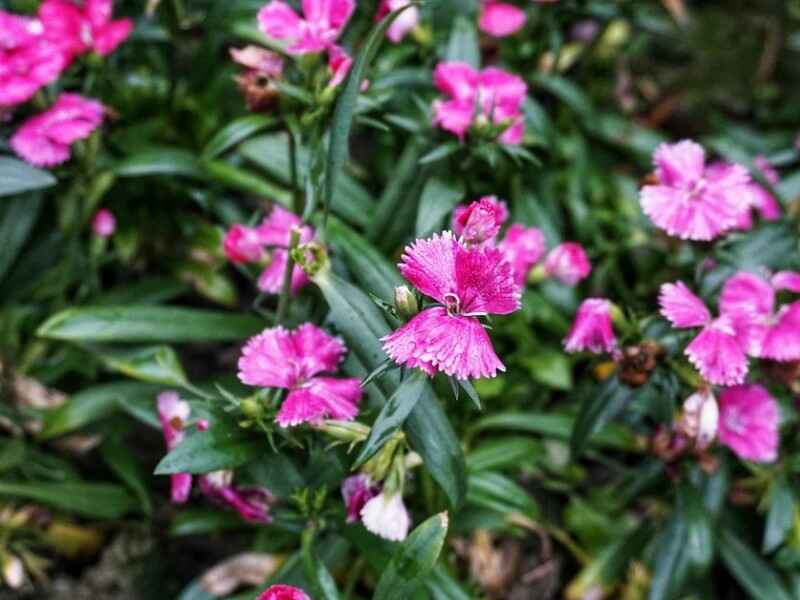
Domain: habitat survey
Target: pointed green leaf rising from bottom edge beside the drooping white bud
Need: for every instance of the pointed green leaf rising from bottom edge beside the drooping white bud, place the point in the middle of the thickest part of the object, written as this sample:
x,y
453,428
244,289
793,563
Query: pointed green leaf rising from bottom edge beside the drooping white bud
x,y
413,561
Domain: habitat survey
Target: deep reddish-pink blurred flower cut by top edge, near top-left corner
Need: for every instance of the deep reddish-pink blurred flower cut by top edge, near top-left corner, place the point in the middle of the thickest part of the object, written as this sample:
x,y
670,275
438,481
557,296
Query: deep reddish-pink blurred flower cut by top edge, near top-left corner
x,y
80,28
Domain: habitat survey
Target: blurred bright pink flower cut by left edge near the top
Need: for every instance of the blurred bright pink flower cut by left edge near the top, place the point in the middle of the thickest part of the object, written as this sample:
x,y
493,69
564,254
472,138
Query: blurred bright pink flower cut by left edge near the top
x,y
28,59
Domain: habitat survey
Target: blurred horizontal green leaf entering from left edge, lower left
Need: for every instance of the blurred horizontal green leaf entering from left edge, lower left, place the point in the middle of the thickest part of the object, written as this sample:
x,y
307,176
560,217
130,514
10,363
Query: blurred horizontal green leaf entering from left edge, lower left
x,y
93,500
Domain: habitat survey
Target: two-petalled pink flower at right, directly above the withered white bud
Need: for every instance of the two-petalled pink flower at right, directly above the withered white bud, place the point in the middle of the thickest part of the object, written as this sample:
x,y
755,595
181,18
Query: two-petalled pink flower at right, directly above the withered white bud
x,y
718,351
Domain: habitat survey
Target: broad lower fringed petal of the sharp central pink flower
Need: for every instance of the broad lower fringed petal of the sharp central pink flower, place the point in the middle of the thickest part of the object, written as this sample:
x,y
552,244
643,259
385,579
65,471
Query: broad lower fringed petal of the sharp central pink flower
x,y
435,341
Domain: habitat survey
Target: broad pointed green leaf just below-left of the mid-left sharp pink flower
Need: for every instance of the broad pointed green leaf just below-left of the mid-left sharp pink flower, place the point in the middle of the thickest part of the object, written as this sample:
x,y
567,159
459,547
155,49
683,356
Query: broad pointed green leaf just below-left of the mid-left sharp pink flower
x,y
223,446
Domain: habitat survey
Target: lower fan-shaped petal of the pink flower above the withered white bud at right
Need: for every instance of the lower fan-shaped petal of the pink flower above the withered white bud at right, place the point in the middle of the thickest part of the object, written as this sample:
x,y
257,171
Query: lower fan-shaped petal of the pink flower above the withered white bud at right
x,y
718,353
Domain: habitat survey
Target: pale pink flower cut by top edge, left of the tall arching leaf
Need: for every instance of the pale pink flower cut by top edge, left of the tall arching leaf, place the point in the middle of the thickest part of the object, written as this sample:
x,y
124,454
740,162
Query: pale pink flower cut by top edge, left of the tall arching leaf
x,y
323,24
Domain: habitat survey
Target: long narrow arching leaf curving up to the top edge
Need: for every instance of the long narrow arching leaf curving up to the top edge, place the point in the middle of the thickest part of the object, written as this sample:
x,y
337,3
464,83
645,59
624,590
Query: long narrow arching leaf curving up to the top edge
x,y
338,149
